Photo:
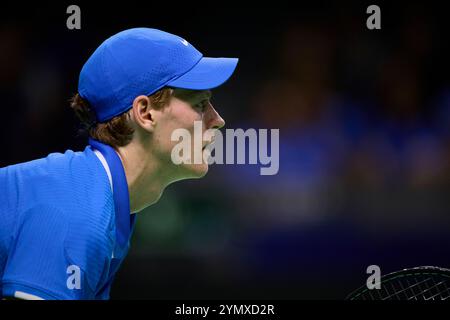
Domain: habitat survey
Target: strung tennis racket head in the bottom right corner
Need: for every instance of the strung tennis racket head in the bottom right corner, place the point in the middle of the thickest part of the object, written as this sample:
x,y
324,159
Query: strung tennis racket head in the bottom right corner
x,y
420,283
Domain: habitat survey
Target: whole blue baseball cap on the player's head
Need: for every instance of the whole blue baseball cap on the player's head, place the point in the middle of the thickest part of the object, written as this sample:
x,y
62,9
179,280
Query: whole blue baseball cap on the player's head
x,y
140,61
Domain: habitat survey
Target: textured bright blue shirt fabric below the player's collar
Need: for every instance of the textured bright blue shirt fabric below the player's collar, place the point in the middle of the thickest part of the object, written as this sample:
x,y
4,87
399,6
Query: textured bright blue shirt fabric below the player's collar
x,y
58,212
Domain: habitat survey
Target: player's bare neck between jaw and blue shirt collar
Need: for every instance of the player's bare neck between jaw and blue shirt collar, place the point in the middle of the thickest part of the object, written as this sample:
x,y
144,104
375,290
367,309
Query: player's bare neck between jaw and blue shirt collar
x,y
144,174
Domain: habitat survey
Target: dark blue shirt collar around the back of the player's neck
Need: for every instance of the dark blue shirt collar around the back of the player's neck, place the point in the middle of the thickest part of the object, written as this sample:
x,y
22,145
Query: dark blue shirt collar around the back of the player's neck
x,y
124,220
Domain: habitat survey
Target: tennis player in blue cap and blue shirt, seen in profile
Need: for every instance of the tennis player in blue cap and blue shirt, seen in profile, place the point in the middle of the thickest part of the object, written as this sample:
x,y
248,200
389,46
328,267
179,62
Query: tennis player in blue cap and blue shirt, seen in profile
x,y
66,220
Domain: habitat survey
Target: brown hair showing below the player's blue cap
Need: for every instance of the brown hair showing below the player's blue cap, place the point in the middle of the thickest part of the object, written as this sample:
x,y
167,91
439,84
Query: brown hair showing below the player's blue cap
x,y
116,132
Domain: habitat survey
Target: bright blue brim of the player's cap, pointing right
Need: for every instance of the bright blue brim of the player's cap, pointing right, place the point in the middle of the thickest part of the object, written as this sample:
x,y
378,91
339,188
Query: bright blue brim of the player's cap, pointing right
x,y
208,73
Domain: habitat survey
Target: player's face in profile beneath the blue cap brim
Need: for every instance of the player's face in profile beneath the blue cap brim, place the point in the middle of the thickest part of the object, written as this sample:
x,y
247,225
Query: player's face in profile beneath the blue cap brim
x,y
185,108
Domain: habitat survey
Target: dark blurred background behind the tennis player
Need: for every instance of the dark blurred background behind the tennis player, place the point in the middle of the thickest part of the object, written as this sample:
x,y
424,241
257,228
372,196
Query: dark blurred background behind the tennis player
x,y
364,119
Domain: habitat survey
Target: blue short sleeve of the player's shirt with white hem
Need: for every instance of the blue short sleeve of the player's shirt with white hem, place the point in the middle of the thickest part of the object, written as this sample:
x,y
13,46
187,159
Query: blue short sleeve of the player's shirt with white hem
x,y
38,263
